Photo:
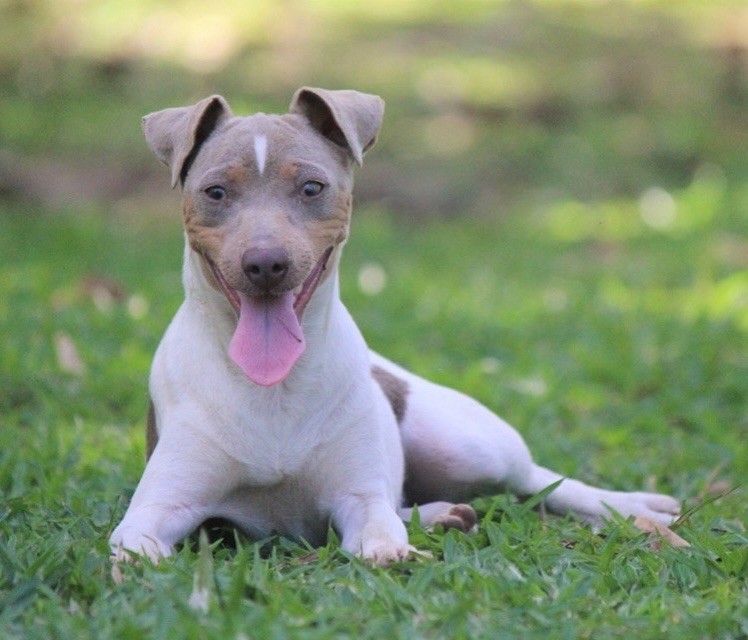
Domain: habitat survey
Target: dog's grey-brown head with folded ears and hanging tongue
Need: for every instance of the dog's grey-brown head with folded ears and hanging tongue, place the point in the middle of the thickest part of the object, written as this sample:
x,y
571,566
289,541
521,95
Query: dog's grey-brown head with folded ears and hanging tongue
x,y
267,200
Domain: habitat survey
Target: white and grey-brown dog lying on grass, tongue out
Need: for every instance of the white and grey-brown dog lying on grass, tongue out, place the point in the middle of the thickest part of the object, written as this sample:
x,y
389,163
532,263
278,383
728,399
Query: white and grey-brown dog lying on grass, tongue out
x,y
267,408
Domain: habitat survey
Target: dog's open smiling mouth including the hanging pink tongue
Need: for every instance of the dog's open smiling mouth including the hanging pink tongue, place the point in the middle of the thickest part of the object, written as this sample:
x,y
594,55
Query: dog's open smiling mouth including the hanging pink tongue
x,y
268,339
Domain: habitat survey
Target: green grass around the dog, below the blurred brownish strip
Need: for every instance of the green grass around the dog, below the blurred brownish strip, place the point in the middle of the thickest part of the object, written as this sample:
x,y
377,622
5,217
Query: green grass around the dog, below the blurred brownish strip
x,y
617,349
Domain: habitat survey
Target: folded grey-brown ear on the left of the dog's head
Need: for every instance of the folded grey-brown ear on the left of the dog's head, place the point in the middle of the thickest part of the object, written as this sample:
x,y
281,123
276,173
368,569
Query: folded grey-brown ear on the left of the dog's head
x,y
175,135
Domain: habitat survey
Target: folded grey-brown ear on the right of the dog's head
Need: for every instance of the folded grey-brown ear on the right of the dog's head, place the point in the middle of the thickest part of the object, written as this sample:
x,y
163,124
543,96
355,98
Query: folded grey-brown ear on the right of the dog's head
x,y
348,118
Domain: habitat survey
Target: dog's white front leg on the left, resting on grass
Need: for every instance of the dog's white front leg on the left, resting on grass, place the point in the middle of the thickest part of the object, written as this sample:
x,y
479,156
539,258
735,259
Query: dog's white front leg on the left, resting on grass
x,y
169,503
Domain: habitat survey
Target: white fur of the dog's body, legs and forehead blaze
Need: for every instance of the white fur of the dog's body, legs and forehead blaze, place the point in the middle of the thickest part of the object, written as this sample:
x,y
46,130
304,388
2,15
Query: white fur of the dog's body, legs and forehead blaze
x,y
324,445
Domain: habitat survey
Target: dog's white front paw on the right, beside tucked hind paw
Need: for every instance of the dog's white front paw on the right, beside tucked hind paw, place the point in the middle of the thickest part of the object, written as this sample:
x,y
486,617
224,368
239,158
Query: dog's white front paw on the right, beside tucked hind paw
x,y
370,528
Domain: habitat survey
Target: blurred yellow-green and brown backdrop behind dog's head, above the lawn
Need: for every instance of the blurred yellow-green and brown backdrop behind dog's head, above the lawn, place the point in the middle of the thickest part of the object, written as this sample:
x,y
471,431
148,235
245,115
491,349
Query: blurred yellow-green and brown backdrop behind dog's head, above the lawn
x,y
494,106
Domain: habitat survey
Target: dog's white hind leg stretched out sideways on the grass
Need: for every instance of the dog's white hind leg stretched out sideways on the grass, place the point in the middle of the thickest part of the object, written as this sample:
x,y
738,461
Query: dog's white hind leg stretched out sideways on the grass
x,y
456,449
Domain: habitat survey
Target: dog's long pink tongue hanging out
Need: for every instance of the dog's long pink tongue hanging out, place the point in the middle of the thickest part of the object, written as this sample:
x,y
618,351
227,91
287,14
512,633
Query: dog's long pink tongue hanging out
x,y
268,339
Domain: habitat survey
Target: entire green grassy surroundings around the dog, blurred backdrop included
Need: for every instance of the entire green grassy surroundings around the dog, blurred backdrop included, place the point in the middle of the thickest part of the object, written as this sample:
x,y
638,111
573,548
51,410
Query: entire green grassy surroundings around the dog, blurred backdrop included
x,y
554,220
